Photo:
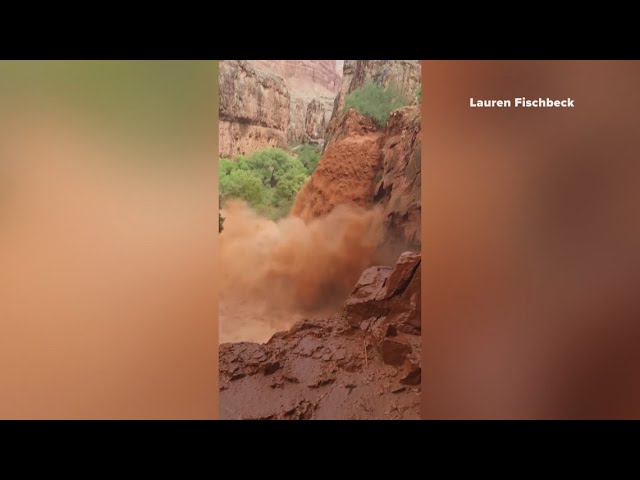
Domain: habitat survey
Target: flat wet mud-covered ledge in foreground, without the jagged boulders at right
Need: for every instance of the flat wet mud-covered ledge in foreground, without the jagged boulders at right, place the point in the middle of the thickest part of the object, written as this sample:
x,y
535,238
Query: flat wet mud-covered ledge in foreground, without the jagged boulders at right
x,y
326,369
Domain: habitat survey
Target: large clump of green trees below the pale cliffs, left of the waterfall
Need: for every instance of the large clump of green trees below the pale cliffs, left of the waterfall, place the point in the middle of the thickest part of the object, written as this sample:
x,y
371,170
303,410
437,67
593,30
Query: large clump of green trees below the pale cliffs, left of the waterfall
x,y
268,180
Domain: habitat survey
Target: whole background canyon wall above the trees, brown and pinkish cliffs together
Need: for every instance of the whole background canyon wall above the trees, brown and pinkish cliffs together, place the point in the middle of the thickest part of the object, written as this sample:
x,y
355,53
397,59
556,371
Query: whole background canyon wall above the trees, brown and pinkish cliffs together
x,y
266,103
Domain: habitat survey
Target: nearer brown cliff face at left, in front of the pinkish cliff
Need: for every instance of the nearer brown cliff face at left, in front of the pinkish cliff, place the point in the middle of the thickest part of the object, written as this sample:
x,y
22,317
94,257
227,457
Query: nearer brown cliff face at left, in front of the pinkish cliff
x,y
254,109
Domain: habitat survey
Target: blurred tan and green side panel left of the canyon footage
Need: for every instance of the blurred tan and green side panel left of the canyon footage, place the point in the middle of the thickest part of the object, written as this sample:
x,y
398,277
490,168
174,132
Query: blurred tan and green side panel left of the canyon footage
x,y
107,294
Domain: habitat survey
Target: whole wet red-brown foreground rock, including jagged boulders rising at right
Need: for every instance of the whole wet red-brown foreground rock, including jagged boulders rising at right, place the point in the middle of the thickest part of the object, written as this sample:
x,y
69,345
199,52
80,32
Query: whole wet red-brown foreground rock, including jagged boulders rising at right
x,y
361,364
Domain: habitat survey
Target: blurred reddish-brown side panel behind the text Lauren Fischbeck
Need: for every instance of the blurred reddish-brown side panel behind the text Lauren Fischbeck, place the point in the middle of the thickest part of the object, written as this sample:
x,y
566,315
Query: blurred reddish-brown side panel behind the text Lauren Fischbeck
x,y
532,270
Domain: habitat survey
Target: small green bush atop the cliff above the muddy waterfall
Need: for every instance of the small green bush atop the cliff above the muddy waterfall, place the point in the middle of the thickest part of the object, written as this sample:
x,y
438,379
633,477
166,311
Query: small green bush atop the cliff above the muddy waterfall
x,y
376,102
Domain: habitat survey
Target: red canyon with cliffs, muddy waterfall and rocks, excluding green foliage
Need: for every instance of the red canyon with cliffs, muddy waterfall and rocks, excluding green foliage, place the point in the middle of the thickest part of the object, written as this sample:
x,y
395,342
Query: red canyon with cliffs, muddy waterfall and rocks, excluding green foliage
x,y
320,311
